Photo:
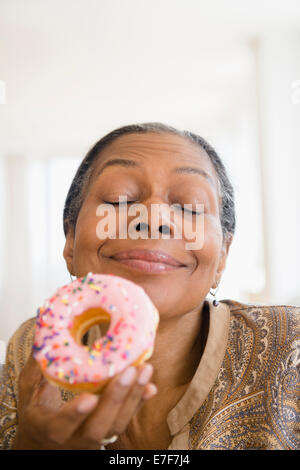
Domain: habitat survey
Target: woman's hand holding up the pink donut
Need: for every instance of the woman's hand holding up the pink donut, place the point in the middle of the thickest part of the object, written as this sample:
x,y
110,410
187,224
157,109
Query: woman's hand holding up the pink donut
x,y
46,422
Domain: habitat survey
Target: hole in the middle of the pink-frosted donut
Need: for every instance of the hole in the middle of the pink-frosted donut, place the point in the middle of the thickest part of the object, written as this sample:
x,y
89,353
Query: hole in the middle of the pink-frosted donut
x,y
91,325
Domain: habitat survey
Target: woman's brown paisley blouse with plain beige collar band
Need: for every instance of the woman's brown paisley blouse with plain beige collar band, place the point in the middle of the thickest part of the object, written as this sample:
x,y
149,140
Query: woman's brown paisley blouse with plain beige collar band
x,y
245,393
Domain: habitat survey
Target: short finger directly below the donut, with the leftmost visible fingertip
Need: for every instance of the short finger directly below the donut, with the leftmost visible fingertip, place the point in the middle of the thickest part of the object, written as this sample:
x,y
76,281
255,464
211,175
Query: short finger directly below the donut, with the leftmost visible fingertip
x,y
65,423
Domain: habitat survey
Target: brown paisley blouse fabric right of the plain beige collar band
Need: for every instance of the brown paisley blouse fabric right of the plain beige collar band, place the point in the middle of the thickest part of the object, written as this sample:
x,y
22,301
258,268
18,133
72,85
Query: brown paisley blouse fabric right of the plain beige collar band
x,y
254,402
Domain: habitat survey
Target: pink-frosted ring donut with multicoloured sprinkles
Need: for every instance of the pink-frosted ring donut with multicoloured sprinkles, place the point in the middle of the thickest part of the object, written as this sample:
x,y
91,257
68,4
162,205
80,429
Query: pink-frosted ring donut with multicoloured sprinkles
x,y
65,318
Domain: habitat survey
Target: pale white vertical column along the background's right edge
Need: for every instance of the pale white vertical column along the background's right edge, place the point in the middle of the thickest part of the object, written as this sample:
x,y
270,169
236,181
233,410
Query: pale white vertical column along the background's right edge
x,y
278,68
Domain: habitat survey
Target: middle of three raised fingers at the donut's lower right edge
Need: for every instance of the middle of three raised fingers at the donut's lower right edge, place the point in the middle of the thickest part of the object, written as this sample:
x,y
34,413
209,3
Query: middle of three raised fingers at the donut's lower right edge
x,y
133,400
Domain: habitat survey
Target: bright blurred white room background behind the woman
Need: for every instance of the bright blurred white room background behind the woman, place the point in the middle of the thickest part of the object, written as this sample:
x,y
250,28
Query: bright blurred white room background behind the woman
x,y
73,70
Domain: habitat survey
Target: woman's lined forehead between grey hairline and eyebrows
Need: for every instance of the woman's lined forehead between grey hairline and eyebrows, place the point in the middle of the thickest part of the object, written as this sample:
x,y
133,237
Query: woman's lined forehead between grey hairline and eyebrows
x,y
156,150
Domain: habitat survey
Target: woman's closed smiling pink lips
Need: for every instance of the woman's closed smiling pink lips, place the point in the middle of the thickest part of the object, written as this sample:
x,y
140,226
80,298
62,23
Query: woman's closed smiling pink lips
x,y
149,261
